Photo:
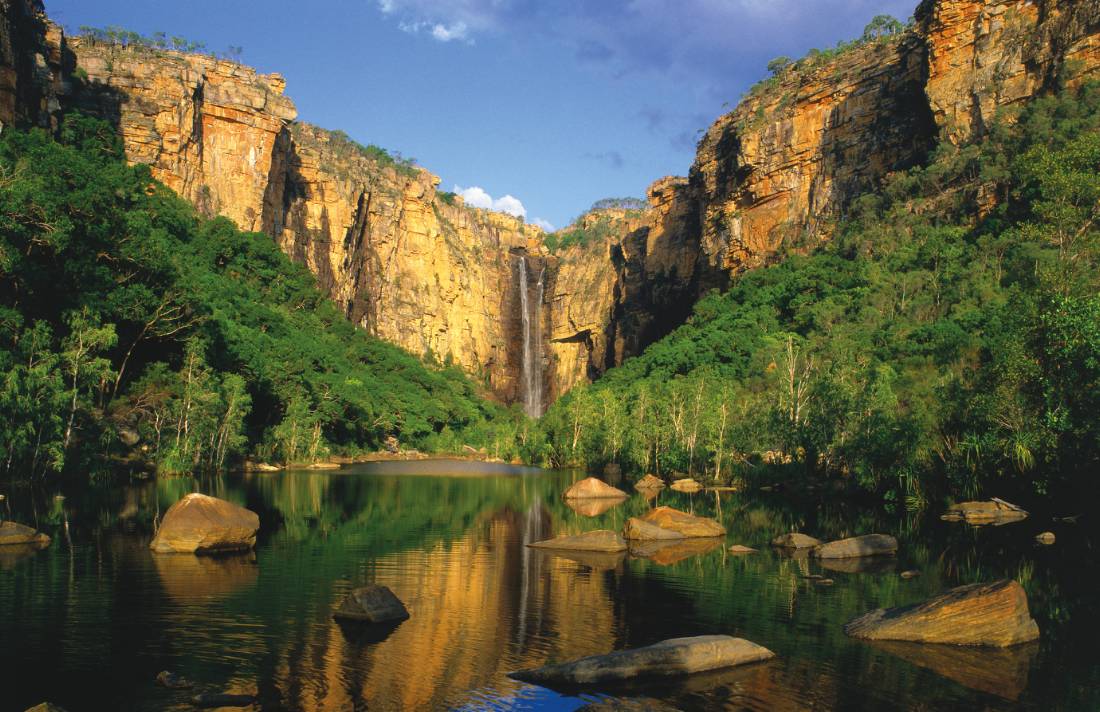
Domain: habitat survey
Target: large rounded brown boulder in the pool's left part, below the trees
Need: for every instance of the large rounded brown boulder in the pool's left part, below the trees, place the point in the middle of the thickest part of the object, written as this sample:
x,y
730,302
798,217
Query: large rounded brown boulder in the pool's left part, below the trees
x,y
200,524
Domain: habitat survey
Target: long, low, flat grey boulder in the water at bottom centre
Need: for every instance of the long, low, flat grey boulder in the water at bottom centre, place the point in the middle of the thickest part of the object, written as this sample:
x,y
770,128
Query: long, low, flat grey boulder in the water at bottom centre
x,y
677,656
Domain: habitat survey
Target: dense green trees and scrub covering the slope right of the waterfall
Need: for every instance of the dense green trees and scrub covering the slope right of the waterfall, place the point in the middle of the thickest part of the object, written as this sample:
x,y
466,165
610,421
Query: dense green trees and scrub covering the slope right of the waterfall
x,y
945,342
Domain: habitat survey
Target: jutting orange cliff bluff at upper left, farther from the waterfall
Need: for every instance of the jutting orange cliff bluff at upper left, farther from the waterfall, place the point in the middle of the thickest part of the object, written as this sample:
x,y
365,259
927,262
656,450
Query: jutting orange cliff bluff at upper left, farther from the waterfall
x,y
208,128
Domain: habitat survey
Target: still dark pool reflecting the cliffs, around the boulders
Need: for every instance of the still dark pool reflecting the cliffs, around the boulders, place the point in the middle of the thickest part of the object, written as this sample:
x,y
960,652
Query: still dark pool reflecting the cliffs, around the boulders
x,y
90,622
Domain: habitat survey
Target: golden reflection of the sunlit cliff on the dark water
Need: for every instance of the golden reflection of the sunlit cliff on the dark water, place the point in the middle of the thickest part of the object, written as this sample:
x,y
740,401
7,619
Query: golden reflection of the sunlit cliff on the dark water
x,y
481,606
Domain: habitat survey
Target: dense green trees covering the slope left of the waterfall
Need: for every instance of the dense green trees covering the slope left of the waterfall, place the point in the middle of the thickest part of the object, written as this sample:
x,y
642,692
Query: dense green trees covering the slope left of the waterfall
x,y
130,327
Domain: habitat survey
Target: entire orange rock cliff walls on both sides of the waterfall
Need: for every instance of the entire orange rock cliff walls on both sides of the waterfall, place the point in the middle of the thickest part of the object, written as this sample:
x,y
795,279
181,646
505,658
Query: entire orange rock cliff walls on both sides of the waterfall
x,y
422,270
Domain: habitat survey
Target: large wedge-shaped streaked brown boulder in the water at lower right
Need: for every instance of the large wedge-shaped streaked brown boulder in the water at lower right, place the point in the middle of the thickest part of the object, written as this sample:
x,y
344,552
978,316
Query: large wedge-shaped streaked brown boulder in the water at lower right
x,y
994,615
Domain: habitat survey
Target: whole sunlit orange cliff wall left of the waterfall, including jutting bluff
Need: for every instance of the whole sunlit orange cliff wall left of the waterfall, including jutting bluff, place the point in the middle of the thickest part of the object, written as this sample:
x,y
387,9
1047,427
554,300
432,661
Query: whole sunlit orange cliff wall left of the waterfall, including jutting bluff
x,y
413,267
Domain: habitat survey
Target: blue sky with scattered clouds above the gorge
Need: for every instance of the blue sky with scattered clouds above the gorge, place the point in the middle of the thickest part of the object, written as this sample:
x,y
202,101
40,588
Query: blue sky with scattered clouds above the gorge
x,y
554,104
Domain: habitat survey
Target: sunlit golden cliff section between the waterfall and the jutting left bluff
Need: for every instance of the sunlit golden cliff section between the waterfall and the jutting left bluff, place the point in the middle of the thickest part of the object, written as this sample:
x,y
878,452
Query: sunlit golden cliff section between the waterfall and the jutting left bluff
x,y
416,269
